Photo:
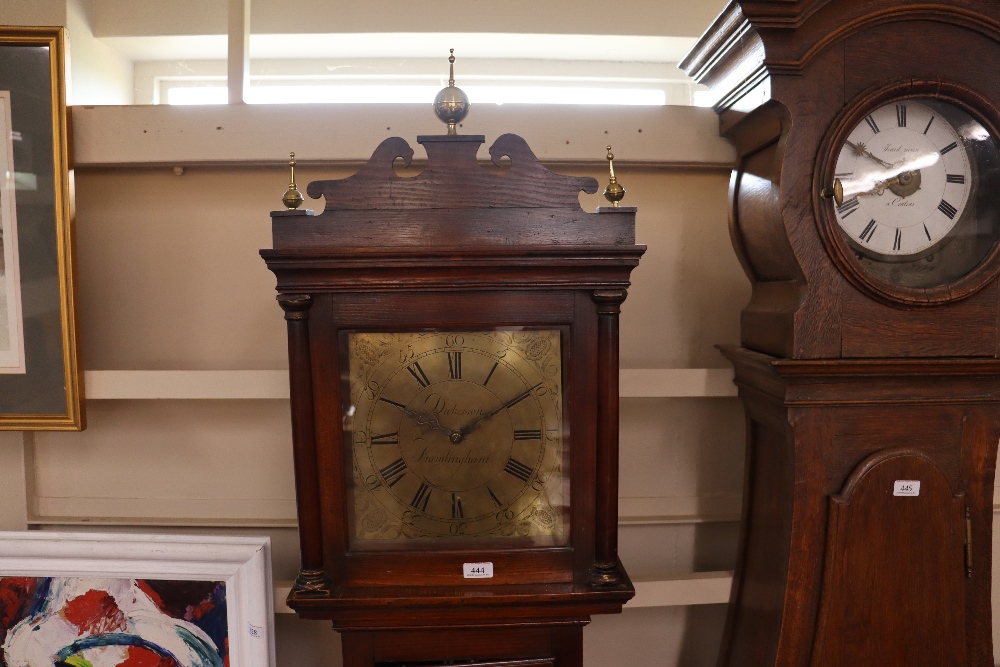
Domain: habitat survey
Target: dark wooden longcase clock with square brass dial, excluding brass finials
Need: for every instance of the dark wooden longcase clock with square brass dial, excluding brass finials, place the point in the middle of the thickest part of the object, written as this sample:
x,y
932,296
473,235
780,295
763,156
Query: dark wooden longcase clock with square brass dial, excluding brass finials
x,y
453,347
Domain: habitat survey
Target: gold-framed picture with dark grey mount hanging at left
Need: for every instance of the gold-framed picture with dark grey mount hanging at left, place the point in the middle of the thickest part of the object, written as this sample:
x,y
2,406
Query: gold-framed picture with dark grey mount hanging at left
x,y
41,382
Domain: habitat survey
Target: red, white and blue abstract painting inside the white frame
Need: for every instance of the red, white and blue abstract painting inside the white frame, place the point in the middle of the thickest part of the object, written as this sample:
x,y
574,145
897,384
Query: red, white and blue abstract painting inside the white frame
x,y
84,622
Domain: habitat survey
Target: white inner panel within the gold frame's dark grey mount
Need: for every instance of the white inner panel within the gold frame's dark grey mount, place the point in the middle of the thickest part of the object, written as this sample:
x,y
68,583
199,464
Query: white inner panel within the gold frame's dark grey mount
x,y
11,315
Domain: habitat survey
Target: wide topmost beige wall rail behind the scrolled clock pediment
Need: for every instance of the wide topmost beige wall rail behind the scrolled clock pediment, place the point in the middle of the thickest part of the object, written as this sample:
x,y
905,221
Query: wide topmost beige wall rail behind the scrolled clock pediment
x,y
262,134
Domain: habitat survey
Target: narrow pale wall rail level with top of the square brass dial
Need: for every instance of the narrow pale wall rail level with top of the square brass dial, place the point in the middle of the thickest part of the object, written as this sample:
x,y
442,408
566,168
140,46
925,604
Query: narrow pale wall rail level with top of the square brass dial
x,y
198,385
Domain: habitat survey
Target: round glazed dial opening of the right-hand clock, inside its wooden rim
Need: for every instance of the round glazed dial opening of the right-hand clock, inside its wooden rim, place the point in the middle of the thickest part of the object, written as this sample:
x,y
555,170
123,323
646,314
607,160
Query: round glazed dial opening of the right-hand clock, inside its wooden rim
x,y
907,193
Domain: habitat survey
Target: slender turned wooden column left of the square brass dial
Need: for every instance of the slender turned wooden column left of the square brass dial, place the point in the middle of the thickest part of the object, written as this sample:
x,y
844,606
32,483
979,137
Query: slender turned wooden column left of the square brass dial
x,y
312,576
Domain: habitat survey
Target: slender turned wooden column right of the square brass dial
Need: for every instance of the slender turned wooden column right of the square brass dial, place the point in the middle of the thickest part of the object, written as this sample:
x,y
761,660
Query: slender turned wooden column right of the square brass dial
x,y
606,549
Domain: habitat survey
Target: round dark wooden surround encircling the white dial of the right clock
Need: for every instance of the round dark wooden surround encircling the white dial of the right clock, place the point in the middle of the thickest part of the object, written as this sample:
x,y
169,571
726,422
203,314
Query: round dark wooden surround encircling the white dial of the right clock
x,y
885,276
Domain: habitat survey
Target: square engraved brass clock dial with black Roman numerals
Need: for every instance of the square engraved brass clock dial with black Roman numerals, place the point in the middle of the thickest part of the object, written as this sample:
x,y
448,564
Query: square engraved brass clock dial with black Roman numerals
x,y
457,435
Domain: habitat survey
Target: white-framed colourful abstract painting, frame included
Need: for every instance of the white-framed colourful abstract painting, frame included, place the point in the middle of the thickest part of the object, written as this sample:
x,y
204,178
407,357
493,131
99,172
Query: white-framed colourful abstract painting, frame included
x,y
121,600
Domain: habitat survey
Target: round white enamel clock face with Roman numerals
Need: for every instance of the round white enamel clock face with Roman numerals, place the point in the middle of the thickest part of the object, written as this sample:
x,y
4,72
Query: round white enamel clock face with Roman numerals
x,y
906,177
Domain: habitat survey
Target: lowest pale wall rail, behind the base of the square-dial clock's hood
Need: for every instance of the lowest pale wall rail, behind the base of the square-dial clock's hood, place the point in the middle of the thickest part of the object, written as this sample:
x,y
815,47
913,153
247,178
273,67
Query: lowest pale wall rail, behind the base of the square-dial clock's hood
x,y
676,591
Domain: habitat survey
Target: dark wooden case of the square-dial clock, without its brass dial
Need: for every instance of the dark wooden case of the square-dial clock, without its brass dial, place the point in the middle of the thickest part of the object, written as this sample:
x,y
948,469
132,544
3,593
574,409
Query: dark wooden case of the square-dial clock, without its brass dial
x,y
457,247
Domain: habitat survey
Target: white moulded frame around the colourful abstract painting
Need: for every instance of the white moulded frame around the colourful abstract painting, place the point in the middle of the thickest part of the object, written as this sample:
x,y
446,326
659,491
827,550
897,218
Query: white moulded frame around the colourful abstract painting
x,y
243,563
